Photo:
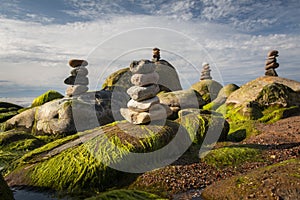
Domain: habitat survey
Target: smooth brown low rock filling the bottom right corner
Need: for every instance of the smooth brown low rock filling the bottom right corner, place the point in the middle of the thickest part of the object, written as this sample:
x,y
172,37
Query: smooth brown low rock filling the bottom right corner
x,y
278,181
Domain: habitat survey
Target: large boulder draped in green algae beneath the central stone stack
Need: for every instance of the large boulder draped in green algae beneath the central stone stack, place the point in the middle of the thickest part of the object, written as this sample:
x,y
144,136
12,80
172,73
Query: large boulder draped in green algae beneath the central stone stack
x,y
99,158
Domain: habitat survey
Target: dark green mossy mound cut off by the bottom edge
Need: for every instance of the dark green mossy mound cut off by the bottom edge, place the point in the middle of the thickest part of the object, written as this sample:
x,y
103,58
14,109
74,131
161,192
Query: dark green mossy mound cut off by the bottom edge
x,y
125,194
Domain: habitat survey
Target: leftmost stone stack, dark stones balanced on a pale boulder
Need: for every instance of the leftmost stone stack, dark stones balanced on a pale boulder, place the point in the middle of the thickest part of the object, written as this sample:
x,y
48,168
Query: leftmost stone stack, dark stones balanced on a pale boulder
x,y
78,80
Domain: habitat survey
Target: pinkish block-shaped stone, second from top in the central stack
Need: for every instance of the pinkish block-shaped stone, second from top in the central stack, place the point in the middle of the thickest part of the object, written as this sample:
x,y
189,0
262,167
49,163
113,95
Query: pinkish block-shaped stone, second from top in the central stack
x,y
145,79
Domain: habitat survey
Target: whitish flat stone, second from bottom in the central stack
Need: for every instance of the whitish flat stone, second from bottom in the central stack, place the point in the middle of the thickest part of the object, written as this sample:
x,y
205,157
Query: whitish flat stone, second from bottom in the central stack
x,y
144,105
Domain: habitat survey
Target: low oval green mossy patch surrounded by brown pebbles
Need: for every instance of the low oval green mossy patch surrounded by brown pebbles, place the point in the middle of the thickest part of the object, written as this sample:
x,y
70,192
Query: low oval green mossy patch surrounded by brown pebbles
x,y
231,156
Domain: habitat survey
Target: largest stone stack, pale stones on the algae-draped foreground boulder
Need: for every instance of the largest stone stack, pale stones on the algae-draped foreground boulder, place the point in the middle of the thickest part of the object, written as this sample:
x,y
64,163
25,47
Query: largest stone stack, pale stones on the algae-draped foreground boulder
x,y
144,105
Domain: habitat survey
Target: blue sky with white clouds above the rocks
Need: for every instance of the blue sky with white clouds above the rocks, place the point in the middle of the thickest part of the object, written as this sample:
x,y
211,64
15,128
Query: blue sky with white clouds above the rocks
x,y
39,37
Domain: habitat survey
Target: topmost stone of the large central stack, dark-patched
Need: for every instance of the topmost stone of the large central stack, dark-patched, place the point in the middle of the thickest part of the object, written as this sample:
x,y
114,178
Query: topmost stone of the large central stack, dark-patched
x,y
142,67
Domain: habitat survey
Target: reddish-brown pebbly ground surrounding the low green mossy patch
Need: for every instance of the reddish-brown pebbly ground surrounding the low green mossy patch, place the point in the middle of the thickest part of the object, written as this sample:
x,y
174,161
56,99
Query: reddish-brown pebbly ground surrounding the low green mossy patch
x,y
278,142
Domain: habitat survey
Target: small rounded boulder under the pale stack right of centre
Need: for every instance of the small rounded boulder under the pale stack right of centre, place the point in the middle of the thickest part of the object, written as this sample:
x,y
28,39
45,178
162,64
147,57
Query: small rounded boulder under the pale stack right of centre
x,y
208,89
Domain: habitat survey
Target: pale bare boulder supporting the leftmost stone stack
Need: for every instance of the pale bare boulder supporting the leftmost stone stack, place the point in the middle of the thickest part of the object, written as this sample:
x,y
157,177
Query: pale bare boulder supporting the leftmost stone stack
x,y
65,116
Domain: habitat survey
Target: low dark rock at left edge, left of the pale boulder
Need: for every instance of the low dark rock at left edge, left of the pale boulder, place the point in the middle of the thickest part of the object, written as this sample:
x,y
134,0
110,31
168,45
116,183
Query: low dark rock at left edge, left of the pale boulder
x,y
8,110
